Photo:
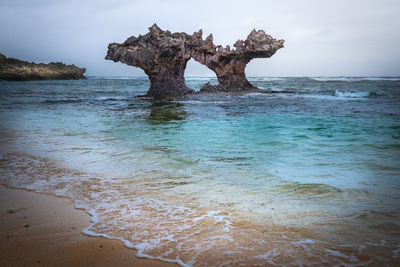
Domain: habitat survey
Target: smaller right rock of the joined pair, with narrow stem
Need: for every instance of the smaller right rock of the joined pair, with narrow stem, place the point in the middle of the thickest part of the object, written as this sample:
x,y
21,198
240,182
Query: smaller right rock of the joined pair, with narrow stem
x,y
229,65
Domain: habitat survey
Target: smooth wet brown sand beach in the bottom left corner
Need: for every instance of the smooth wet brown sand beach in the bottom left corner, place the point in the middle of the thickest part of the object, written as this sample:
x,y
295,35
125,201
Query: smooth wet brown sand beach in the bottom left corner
x,y
44,230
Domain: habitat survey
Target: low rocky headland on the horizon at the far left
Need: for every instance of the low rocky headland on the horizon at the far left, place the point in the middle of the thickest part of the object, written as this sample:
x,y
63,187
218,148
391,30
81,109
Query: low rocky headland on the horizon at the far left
x,y
16,70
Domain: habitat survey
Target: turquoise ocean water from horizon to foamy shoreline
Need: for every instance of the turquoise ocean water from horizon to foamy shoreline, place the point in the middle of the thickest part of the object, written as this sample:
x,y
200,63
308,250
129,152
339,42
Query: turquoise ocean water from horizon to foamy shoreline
x,y
306,178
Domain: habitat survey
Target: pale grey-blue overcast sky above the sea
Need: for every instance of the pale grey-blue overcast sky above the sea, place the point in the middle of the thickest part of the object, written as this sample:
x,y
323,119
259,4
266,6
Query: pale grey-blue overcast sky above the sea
x,y
322,37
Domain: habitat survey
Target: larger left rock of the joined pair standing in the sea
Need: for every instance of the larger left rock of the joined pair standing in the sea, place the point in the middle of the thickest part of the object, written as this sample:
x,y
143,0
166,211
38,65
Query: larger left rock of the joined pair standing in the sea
x,y
163,57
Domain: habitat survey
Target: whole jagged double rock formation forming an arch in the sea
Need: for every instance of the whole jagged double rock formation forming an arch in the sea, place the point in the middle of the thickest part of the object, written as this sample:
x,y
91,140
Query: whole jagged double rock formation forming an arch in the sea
x,y
163,57
